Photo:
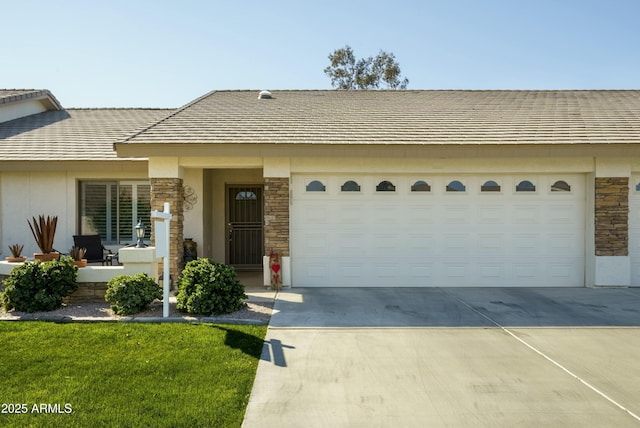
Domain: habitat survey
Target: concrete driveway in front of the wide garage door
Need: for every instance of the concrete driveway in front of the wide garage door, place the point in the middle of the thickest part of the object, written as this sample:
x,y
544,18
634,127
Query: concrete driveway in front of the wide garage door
x,y
456,357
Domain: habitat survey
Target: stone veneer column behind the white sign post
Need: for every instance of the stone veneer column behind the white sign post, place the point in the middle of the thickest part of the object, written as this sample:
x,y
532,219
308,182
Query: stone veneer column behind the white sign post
x,y
171,190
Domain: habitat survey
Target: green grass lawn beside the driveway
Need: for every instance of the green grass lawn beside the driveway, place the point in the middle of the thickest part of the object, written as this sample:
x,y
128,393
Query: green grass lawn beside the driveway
x,y
128,375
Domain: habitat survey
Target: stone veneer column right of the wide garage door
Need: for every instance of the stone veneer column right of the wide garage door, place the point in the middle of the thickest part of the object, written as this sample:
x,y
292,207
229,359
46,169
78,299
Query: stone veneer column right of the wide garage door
x,y
611,216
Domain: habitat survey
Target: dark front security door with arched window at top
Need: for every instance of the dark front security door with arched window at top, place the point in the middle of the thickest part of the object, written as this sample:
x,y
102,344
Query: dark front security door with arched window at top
x,y
244,227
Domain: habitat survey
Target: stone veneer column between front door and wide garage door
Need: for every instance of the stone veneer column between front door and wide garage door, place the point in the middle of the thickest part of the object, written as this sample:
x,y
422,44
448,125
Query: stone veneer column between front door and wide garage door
x,y
276,215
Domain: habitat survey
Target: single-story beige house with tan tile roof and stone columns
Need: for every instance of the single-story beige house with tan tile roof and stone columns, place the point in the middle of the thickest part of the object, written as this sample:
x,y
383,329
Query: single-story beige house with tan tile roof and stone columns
x,y
351,188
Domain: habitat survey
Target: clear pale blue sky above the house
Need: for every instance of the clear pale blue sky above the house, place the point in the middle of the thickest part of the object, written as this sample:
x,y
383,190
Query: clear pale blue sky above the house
x,y
158,53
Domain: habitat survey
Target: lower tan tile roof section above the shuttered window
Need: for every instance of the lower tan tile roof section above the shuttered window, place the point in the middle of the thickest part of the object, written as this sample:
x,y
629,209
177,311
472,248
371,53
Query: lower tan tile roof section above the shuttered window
x,y
73,134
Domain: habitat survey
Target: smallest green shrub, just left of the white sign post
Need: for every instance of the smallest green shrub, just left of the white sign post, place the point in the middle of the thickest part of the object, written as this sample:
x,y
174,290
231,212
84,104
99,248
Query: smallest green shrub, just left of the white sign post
x,y
130,294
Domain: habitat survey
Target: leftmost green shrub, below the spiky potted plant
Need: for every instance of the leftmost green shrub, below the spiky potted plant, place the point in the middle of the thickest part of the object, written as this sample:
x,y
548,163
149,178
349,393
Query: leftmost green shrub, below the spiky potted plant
x,y
36,286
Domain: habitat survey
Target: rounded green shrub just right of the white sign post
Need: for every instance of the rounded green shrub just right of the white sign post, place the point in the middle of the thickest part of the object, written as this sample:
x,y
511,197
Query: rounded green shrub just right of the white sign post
x,y
207,288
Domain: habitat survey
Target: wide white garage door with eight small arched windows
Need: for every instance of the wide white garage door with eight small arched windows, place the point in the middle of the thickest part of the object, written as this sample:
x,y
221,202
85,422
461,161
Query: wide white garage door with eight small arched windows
x,y
437,230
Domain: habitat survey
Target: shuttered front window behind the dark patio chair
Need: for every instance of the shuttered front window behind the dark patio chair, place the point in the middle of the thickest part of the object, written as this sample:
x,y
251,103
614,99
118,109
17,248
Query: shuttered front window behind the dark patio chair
x,y
111,209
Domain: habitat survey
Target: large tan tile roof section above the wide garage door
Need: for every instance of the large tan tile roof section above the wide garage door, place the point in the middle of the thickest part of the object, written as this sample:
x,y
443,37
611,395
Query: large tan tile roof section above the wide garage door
x,y
403,117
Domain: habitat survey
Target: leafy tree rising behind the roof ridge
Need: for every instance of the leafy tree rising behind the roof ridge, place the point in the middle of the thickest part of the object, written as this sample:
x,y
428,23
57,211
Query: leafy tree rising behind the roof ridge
x,y
366,73
